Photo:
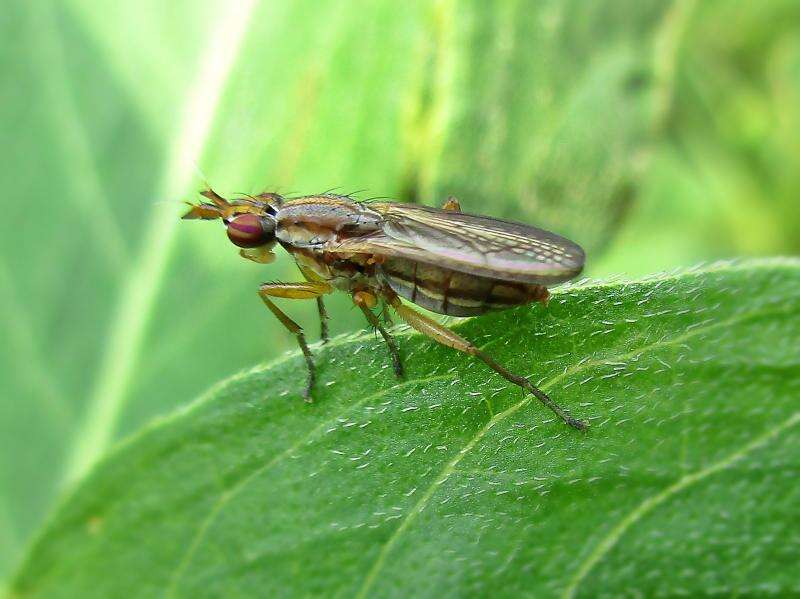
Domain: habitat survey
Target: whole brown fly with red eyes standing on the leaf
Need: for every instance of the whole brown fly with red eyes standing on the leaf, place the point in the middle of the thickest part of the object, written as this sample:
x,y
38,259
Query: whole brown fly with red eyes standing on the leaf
x,y
444,260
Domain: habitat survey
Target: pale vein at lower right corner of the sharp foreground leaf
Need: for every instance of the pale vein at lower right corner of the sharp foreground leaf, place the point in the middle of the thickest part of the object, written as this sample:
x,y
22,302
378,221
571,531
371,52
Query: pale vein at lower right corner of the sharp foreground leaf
x,y
608,542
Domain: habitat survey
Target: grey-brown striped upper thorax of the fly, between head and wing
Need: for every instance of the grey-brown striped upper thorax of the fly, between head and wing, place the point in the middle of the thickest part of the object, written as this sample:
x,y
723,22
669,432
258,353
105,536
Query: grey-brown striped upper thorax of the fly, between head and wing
x,y
316,220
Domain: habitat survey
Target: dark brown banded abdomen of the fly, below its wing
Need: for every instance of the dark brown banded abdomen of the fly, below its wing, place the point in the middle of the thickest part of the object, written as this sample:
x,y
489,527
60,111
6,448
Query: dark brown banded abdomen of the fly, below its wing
x,y
454,293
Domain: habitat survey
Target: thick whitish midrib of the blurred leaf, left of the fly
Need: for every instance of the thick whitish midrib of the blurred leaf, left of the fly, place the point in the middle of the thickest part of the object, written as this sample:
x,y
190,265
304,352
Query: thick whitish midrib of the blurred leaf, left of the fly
x,y
143,282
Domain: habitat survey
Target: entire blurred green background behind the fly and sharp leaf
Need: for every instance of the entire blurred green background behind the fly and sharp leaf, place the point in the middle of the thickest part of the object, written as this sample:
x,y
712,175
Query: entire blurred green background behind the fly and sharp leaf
x,y
656,134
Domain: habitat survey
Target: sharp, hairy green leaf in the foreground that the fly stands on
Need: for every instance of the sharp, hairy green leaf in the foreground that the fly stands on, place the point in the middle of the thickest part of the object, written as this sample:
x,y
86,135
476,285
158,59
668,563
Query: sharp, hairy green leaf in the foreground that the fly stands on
x,y
453,482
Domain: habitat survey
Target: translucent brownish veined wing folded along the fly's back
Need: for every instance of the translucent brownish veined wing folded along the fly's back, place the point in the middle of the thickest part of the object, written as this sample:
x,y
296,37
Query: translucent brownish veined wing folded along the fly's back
x,y
471,244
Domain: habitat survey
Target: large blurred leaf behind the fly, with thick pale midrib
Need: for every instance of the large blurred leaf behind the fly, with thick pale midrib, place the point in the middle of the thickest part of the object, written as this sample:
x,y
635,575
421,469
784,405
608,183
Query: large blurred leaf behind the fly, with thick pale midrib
x,y
115,312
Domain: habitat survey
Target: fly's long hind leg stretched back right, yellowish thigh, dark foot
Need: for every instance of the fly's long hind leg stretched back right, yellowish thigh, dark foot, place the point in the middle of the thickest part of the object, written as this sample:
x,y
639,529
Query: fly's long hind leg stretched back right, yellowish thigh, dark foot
x,y
445,336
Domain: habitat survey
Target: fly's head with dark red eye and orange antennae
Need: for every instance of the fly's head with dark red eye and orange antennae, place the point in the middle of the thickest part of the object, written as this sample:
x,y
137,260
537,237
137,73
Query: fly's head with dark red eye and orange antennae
x,y
250,222
